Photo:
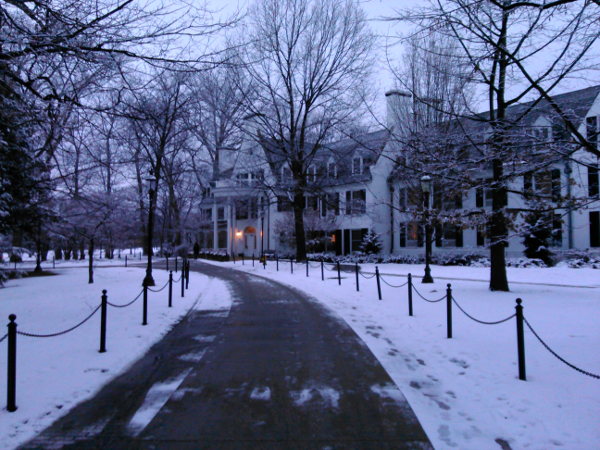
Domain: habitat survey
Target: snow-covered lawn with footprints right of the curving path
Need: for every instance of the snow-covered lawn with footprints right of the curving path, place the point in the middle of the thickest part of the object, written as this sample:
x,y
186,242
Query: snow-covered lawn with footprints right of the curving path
x,y
465,390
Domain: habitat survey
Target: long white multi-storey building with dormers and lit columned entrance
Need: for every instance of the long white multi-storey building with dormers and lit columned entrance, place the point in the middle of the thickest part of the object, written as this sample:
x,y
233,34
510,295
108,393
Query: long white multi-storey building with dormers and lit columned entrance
x,y
355,189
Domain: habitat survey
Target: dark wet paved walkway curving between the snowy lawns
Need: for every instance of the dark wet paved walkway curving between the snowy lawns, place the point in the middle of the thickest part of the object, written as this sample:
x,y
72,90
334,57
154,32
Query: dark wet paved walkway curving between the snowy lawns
x,y
279,372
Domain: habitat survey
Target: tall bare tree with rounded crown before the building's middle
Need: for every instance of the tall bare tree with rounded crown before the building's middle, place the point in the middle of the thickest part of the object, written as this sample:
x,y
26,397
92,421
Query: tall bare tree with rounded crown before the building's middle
x,y
309,64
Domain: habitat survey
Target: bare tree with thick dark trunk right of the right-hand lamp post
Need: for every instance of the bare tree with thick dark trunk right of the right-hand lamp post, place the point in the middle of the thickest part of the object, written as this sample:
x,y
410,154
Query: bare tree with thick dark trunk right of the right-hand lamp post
x,y
515,52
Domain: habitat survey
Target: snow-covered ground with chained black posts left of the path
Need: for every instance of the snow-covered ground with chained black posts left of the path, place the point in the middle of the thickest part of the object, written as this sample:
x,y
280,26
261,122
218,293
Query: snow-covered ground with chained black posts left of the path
x,y
54,374
